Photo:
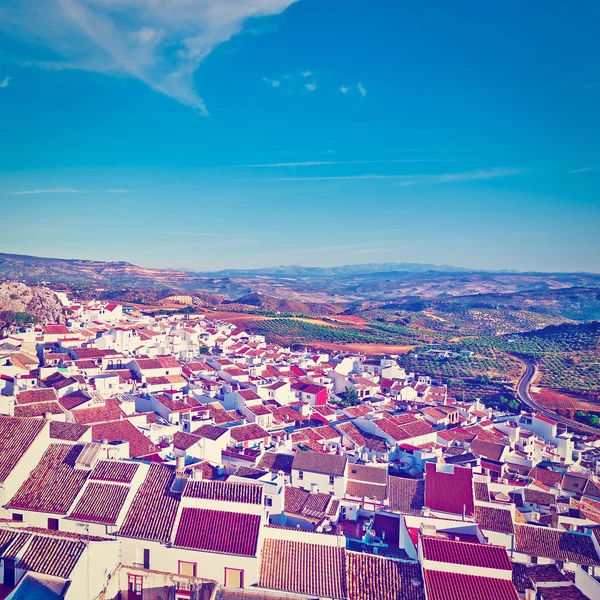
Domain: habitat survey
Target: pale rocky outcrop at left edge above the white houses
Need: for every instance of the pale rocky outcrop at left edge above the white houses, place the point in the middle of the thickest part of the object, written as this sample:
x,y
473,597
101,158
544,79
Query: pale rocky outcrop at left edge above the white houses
x,y
36,301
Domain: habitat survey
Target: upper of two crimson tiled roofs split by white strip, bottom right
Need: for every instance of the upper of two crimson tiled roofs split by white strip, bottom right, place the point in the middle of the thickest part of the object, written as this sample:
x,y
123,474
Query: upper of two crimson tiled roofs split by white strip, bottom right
x,y
465,553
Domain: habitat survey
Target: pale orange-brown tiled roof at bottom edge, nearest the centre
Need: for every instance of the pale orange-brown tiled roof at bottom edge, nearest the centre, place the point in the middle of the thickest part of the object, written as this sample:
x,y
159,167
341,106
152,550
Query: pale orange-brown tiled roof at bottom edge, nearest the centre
x,y
302,568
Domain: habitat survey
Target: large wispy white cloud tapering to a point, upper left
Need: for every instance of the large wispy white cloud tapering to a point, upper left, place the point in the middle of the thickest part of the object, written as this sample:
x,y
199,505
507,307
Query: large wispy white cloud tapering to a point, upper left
x,y
159,42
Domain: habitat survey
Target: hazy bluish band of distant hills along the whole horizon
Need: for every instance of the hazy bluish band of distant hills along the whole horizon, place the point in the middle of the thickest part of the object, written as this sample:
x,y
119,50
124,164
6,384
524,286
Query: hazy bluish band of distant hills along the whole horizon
x,y
339,285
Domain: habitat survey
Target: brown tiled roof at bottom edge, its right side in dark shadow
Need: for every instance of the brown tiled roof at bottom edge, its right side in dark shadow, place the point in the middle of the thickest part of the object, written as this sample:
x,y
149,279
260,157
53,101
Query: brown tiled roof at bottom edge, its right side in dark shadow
x,y
375,578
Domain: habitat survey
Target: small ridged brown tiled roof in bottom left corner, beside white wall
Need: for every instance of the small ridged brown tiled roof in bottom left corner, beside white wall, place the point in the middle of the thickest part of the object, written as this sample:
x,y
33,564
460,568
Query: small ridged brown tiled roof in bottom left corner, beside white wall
x,y
56,556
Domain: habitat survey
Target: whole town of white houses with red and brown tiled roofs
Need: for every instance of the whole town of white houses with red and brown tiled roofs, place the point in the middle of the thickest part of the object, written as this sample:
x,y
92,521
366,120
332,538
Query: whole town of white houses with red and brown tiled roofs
x,y
177,456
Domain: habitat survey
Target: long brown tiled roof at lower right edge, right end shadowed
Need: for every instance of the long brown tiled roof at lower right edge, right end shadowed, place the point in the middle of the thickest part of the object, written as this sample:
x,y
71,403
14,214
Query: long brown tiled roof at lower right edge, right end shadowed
x,y
555,544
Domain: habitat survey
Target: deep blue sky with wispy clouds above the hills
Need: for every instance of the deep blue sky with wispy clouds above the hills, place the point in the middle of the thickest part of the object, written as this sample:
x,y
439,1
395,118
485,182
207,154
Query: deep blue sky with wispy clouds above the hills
x,y
211,134
